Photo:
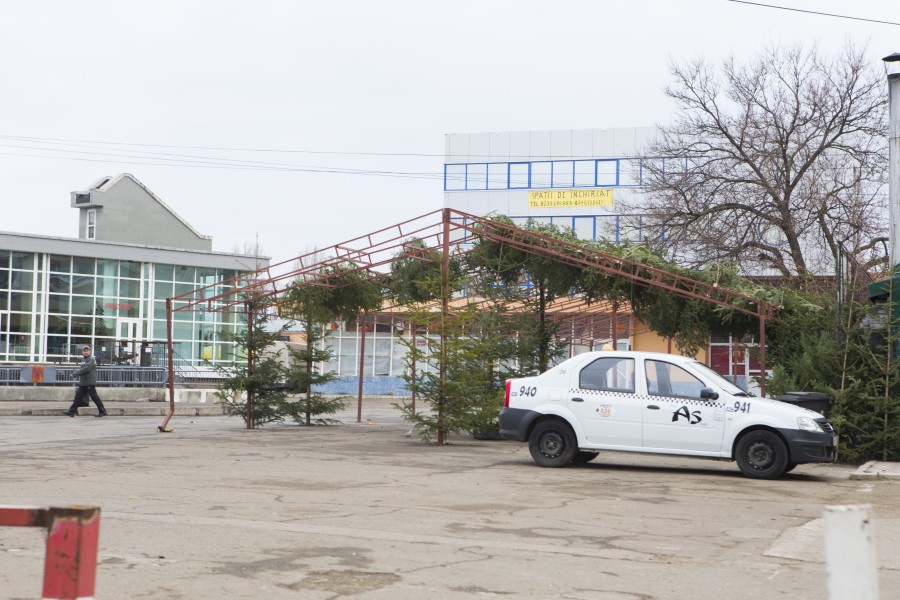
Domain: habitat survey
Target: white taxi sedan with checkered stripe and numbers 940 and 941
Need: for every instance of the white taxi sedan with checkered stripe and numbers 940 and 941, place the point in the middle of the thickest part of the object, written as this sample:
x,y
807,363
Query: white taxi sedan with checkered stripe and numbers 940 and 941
x,y
662,404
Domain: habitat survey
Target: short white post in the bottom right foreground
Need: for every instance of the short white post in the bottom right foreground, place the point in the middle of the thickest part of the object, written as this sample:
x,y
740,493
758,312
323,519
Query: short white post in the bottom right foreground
x,y
850,553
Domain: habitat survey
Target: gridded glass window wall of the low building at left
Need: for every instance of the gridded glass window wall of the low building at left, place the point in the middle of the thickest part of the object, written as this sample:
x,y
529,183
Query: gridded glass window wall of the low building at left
x,y
51,303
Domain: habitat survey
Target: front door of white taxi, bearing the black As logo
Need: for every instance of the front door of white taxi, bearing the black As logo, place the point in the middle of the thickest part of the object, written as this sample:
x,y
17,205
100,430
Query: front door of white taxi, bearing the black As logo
x,y
675,417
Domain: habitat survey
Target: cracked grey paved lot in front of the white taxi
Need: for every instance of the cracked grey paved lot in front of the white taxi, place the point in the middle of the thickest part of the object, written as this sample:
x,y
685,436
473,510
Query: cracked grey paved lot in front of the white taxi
x,y
358,510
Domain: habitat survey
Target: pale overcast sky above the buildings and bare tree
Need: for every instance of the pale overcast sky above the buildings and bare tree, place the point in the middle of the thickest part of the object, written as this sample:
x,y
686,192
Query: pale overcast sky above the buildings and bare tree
x,y
236,113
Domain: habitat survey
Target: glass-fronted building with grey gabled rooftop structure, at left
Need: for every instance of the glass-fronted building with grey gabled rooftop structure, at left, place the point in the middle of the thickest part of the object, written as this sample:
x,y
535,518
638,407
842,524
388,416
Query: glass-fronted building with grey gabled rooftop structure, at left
x,y
108,288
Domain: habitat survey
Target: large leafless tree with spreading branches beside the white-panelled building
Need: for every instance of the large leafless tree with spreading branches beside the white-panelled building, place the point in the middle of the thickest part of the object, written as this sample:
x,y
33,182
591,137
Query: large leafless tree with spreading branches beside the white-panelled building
x,y
771,164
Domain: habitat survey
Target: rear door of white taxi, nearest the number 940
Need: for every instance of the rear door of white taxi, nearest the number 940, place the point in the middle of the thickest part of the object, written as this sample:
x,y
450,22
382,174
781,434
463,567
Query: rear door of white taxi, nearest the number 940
x,y
603,399
